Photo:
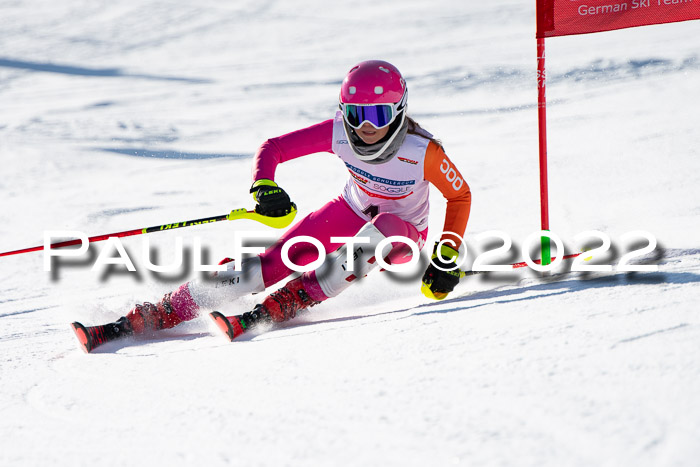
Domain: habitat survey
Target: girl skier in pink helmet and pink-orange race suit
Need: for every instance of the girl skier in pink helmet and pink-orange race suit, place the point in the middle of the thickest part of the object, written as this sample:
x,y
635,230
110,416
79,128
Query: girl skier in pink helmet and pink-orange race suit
x,y
391,161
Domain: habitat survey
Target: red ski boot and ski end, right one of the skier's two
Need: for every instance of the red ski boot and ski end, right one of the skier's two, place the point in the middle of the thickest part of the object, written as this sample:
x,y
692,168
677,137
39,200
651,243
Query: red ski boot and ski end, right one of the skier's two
x,y
279,306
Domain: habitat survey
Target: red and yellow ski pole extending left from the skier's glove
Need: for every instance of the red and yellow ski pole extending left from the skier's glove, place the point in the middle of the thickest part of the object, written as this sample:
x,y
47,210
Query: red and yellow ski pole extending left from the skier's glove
x,y
275,222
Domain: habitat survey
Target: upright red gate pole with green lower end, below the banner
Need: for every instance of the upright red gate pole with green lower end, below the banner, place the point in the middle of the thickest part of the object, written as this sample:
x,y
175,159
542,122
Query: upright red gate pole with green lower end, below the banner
x,y
542,125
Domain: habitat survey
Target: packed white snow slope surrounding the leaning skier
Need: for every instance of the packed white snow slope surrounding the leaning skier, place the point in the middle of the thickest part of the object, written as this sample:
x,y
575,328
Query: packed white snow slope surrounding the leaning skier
x,y
116,115
